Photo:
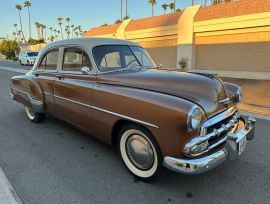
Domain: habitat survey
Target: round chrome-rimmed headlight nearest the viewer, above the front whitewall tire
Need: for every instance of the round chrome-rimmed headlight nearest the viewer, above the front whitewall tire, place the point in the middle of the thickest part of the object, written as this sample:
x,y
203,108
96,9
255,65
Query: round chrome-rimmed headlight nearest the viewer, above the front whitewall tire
x,y
194,118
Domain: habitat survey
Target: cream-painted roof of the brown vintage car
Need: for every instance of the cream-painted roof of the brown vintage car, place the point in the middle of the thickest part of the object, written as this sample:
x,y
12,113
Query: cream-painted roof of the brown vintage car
x,y
90,42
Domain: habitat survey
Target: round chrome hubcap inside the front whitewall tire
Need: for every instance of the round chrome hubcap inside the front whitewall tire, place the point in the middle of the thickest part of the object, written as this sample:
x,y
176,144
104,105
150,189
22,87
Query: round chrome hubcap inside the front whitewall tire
x,y
140,152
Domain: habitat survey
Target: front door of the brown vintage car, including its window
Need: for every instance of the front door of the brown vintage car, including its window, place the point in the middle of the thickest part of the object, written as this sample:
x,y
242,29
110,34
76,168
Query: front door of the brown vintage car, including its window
x,y
73,89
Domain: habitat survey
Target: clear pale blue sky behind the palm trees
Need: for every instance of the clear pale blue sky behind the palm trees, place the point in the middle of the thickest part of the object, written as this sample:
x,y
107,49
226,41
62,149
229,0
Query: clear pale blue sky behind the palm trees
x,y
87,13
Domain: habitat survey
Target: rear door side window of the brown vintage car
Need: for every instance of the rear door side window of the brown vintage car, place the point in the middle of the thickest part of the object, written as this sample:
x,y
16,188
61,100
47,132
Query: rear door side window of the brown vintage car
x,y
49,61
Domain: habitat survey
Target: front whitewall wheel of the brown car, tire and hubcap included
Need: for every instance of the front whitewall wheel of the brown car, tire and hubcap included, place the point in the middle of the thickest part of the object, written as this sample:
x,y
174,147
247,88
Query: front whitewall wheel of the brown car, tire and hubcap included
x,y
140,152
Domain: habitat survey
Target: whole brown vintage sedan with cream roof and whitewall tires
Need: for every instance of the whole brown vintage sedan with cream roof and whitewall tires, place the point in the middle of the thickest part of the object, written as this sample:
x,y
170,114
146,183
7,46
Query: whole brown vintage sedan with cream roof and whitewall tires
x,y
111,89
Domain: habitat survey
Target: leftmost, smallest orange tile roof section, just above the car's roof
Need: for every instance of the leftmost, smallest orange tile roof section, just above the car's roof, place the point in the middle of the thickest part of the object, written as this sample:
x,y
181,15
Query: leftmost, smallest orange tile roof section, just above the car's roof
x,y
103,30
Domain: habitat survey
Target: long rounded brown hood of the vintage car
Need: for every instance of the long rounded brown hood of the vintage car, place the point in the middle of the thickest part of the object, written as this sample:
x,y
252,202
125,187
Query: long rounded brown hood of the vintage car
x,y
207,92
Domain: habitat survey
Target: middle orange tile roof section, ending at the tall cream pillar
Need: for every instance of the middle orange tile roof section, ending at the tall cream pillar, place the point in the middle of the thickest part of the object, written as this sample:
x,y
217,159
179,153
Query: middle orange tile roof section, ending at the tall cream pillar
x,y
152,22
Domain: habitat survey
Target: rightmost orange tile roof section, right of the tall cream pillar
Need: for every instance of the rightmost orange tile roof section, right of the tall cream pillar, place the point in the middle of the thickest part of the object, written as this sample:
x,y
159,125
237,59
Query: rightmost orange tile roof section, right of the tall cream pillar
x,y
230,9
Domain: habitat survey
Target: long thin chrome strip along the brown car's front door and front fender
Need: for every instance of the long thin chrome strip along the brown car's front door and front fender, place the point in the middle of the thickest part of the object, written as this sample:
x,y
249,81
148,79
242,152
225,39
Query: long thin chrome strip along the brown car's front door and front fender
x,y
109,112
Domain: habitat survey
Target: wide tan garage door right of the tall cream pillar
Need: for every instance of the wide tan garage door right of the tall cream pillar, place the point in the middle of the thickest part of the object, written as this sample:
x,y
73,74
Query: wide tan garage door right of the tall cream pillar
x,y
234,56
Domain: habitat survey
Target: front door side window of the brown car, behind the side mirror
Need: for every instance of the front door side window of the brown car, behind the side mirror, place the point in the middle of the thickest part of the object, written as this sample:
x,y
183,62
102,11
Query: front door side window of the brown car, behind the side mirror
x,y
75,59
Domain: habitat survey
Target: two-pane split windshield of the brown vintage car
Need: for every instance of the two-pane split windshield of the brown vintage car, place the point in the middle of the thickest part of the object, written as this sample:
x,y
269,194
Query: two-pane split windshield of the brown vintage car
x,y
118,57
